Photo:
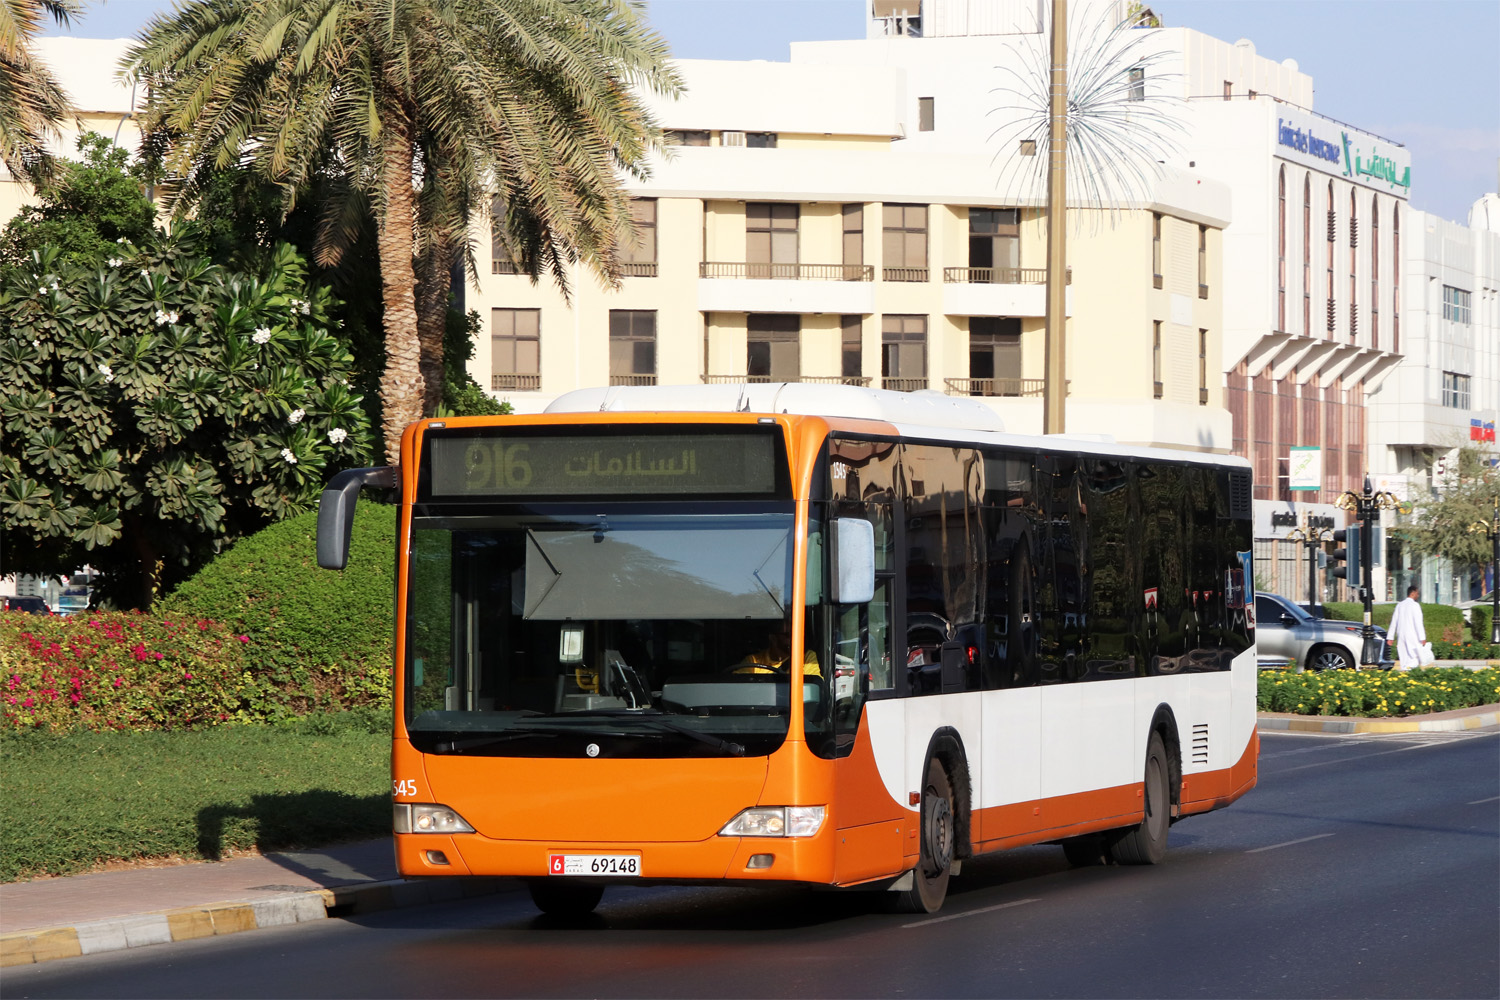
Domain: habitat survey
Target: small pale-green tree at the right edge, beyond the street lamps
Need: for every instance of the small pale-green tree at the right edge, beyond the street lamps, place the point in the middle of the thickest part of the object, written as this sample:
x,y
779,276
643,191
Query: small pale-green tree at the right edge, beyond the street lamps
x,y
1451,524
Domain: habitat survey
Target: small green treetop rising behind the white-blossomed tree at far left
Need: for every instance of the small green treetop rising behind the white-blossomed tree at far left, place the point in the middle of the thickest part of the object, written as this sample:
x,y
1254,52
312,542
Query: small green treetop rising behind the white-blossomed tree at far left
x,y
86,212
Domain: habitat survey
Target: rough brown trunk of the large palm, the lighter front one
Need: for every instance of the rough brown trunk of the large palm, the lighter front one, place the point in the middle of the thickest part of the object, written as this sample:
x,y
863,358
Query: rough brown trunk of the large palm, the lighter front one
x,y
401,385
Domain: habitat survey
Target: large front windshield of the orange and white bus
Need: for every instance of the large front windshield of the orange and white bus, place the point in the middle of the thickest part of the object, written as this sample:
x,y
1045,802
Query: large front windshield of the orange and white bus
x,y
629,633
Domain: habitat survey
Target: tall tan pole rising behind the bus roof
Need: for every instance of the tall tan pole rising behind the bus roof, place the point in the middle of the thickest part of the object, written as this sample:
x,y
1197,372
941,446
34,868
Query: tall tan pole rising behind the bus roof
x,y
1055,389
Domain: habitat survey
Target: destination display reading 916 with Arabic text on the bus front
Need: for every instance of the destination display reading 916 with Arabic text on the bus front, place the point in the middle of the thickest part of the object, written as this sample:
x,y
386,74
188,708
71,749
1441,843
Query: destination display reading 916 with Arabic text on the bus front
x,y
593,466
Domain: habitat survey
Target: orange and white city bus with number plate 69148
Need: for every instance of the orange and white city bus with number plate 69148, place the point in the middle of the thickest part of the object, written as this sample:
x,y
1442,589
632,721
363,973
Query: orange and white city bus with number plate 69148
x,y
797,633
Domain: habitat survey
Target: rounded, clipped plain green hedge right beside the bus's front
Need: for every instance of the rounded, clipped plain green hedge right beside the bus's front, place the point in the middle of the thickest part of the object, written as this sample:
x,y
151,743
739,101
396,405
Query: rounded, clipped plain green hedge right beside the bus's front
x,y
311,626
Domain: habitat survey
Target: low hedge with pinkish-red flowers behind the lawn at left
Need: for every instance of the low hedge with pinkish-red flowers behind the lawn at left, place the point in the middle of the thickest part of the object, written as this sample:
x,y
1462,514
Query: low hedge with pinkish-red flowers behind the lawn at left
x,y
133,672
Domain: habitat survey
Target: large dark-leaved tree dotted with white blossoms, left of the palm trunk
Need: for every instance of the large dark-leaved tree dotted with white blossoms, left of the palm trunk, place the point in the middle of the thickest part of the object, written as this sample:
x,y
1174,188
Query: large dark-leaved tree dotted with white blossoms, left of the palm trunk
x,y
161,406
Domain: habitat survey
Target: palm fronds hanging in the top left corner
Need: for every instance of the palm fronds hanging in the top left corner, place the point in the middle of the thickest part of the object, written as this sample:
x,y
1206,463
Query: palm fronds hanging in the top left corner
x,y
32,104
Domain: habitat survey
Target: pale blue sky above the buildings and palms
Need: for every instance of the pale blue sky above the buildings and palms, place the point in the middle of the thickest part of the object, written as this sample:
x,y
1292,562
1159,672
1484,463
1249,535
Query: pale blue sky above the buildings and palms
x,y
1421,73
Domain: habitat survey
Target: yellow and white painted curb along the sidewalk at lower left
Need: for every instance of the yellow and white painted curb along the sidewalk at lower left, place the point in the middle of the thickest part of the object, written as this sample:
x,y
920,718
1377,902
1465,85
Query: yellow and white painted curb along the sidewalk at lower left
x,y
26,948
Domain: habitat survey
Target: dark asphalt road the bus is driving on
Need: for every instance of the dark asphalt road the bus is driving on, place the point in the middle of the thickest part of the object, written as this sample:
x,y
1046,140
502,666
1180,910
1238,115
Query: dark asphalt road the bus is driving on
x,y
1360,867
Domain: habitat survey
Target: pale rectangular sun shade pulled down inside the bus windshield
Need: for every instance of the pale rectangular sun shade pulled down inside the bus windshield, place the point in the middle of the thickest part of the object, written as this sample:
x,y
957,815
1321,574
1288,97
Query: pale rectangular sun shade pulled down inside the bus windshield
x,y
719,570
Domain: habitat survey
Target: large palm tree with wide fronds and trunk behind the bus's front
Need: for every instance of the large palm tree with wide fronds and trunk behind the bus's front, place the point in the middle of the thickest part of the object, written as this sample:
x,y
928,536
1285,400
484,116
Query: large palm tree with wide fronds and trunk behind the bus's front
x,y
416,101
